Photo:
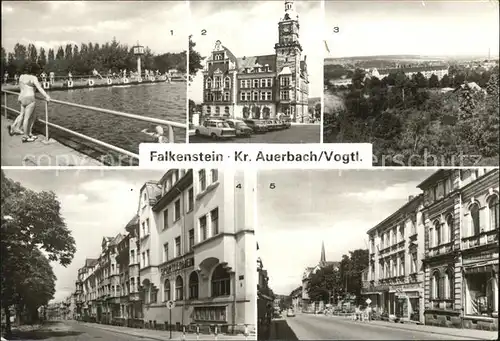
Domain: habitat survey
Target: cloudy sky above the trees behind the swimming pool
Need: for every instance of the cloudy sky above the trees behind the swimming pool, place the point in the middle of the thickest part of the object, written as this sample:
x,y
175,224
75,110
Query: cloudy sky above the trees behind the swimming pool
x,y
52,23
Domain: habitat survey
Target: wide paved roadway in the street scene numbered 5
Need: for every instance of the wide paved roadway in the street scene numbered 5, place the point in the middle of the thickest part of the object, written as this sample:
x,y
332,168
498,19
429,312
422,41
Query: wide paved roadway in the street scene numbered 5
x,y
320,327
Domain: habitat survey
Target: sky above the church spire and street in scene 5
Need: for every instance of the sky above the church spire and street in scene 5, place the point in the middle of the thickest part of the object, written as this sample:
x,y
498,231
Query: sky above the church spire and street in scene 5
x,y
338,207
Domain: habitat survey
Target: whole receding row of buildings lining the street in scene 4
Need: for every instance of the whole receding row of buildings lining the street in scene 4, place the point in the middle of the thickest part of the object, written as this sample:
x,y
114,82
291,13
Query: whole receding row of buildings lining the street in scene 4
x,y
191,242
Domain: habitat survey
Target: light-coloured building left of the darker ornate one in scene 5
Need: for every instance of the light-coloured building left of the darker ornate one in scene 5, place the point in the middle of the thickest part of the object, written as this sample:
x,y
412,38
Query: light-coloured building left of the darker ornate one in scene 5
x,y
394,282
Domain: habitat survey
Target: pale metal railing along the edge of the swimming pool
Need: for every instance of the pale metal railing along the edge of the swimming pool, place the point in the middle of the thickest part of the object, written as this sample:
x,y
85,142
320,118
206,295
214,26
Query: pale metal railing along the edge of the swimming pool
x,y
169,124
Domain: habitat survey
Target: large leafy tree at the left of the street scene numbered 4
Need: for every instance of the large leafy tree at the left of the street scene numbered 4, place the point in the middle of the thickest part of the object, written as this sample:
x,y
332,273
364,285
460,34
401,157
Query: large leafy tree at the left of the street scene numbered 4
x,y
31,221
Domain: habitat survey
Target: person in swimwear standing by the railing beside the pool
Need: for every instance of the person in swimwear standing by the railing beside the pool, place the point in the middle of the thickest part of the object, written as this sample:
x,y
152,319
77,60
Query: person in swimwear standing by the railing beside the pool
x,y
27,84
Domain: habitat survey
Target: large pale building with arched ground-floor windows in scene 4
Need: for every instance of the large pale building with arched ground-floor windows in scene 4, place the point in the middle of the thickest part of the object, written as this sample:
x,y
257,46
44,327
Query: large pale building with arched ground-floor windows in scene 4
x,y
197,249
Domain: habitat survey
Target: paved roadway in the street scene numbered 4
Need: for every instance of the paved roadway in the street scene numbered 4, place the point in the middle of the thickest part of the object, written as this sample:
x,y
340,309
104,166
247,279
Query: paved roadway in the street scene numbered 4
x,y
78,331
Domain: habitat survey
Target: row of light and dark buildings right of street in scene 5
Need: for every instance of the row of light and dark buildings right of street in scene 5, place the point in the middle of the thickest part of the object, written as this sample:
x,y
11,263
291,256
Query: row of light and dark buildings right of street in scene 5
x,y
435,260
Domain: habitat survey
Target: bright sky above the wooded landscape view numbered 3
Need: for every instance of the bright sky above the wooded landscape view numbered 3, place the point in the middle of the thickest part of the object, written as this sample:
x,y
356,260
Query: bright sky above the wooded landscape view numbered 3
x,y
441,28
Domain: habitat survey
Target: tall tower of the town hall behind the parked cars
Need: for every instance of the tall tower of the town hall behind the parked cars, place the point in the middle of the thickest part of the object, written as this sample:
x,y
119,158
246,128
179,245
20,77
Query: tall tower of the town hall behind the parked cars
x,y
288,55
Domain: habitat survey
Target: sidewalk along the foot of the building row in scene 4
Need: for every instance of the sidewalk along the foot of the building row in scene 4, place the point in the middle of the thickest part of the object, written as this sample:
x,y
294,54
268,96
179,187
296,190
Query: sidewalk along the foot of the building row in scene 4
x,y
164,335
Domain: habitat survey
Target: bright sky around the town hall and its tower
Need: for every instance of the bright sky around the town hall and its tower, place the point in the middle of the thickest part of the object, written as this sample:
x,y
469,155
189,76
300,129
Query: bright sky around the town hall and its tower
x,y
250,28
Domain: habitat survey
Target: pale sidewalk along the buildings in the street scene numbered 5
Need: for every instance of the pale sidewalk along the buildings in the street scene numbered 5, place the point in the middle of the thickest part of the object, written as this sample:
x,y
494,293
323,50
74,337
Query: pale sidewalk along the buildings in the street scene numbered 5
x,y
473,334
